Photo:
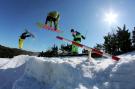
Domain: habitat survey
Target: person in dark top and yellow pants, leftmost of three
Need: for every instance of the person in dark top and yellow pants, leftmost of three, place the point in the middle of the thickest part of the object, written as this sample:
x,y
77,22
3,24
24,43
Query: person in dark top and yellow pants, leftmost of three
x,y
23,36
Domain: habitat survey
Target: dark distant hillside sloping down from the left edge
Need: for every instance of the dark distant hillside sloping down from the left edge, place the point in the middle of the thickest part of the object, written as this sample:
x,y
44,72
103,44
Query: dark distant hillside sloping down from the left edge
x,y
7,52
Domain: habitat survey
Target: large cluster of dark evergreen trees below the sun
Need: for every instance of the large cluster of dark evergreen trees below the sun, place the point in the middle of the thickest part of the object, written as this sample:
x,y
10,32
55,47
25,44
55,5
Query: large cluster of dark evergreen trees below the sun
x,y
118,42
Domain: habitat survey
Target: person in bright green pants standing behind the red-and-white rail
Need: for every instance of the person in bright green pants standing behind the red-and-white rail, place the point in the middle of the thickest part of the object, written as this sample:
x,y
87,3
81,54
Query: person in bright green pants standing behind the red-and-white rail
x,y
77,38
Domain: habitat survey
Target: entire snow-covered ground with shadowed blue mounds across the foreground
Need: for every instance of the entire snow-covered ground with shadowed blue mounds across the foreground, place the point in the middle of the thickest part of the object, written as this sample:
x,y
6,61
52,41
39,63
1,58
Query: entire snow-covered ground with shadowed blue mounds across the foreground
x,y
29,72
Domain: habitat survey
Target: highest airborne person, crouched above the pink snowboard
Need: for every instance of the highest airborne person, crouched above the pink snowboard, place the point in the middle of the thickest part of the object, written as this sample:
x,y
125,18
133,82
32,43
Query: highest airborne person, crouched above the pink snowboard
x,y
54,17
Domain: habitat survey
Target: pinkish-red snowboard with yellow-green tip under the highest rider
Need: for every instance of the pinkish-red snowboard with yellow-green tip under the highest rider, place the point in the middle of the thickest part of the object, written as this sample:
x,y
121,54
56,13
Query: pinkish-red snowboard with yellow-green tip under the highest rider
x,y
46,27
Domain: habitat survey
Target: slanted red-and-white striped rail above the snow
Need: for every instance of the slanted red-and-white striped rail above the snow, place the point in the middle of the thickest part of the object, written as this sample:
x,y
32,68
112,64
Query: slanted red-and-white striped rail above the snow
x,y
89,48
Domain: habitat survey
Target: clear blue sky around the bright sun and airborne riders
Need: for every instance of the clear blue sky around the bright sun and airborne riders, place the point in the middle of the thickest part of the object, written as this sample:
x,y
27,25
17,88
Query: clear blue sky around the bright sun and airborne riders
x,y
86,16
